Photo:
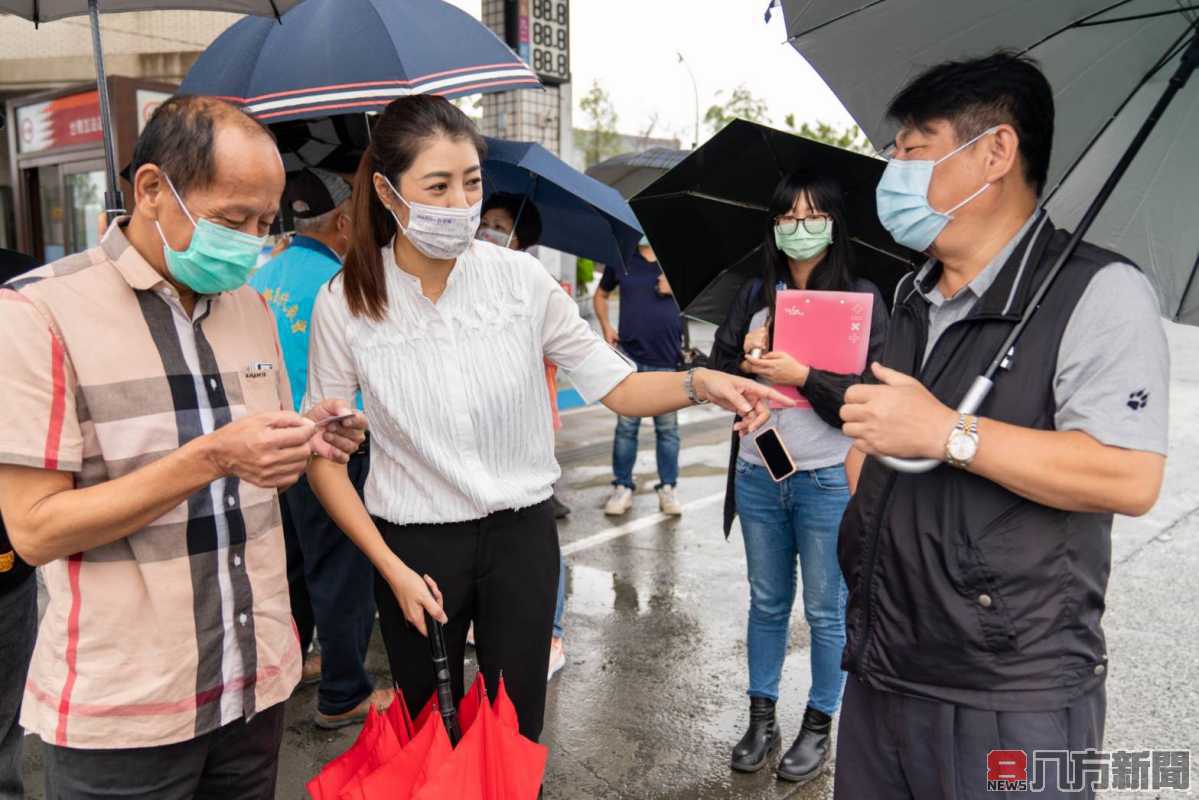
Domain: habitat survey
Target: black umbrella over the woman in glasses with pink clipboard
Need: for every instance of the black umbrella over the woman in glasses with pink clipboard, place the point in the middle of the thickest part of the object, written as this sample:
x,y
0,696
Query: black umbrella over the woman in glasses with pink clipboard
x,y
707,216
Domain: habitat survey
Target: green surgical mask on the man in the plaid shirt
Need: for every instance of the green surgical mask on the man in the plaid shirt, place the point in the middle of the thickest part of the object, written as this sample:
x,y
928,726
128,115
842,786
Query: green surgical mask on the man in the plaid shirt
x,y
218,260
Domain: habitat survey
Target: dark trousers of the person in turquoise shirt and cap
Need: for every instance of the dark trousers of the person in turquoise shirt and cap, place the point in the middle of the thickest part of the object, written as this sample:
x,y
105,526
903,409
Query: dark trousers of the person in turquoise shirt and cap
x,y
332,586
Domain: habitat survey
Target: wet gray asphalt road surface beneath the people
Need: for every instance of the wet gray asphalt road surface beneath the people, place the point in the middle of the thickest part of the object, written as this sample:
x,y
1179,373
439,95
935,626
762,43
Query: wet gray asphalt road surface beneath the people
x,y
653,696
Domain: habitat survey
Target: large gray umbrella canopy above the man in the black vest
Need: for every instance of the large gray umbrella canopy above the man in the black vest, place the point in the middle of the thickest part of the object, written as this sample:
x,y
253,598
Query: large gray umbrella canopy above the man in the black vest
x,y
1108,63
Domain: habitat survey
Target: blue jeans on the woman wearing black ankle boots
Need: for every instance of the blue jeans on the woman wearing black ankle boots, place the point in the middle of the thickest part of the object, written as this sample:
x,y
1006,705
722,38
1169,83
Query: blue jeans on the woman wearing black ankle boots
x,y
781,522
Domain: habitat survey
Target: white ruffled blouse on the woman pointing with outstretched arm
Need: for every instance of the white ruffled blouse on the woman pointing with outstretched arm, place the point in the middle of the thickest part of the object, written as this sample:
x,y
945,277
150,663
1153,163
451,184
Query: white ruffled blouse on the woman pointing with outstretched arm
x,y
456,392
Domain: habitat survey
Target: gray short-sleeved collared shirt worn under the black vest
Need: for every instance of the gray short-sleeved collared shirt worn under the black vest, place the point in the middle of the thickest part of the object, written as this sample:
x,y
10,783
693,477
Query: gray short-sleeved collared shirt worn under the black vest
x,y
1113,371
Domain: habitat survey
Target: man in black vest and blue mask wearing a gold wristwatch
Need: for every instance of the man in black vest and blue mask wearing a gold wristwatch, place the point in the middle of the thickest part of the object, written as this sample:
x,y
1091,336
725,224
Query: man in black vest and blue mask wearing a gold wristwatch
x,y
977,591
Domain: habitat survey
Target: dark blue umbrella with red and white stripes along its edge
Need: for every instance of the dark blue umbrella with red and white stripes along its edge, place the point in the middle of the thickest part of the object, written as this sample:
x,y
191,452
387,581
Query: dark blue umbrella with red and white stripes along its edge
x,y
342,57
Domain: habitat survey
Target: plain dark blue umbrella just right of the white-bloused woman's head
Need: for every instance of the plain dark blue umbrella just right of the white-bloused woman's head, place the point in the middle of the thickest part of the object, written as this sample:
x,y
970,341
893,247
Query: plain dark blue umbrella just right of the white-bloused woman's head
x,y
579,214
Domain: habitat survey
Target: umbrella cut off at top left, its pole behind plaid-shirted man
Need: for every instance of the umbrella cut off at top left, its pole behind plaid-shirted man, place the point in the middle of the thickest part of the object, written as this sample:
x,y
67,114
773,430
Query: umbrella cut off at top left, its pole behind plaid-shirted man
x,y
40,11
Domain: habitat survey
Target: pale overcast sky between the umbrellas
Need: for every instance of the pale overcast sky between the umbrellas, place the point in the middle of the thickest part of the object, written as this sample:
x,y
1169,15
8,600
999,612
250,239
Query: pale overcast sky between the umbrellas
x,y
630,47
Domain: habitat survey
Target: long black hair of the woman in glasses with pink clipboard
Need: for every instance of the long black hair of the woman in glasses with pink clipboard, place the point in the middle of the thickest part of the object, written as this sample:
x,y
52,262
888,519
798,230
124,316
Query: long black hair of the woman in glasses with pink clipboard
x,y
835,273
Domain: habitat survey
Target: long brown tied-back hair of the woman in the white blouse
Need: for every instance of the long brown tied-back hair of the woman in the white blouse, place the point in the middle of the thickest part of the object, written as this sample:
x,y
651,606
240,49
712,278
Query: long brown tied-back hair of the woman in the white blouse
x,y
397,139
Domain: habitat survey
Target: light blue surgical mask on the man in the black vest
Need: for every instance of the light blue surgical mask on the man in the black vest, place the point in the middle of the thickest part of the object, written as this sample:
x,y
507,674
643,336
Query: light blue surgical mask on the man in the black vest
x,y
902,199
